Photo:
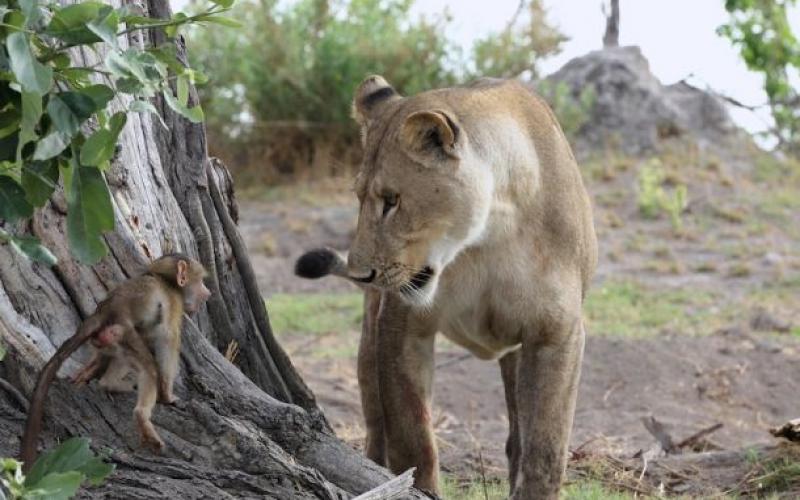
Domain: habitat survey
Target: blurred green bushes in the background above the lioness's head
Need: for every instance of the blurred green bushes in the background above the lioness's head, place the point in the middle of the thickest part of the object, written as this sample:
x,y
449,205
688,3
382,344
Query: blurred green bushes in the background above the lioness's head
x,y
301,61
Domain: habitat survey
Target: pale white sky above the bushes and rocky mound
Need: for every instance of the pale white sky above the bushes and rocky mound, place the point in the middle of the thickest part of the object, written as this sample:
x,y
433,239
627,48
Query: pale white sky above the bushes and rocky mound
x,y
678,37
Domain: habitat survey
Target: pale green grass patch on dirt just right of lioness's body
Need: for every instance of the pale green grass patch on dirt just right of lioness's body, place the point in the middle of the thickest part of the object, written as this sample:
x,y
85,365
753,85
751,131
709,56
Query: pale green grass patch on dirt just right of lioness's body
x,y
630,309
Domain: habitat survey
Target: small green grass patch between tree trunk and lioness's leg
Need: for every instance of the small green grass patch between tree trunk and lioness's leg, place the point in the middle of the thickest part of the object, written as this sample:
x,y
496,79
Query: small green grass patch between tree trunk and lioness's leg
x,y
315,314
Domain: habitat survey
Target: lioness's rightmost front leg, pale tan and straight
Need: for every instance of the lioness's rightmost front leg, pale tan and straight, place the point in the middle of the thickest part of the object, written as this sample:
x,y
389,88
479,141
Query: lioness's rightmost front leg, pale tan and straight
x,y
547,386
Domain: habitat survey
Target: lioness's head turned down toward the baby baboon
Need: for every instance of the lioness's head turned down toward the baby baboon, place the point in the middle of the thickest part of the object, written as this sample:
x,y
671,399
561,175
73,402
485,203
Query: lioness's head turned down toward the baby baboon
x,y
424,193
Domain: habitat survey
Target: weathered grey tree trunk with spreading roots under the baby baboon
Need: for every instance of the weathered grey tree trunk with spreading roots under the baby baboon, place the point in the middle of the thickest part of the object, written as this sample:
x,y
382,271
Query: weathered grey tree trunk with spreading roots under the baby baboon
x,y
249,429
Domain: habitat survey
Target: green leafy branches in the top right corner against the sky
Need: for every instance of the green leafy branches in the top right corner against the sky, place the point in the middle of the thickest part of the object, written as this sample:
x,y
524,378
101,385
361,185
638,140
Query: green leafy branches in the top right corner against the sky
x,y
761,31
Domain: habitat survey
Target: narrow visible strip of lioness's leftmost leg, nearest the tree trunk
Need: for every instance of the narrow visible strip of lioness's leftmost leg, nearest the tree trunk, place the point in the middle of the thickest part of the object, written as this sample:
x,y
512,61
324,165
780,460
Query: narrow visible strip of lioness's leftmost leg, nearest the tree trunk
x,y
375,445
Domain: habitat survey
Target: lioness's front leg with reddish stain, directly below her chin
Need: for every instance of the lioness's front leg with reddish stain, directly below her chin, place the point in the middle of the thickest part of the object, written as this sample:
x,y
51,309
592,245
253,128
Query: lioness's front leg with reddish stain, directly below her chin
x,y
405,374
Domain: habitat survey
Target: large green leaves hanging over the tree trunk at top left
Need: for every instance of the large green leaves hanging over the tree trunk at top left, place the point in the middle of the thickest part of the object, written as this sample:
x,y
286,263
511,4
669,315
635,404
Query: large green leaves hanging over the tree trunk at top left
x,y
60,122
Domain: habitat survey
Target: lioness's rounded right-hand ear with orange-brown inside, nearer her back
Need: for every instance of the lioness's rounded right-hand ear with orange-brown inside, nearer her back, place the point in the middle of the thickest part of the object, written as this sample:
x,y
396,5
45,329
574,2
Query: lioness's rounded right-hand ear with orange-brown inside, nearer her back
x,y
428,133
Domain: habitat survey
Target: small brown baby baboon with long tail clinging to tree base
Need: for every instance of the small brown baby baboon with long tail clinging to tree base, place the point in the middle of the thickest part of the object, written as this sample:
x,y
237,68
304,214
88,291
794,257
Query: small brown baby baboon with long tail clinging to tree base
x,y
137,330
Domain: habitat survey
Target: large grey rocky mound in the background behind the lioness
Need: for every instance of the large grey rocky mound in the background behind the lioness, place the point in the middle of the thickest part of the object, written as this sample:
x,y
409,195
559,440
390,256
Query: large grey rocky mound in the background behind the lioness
x,y
635,111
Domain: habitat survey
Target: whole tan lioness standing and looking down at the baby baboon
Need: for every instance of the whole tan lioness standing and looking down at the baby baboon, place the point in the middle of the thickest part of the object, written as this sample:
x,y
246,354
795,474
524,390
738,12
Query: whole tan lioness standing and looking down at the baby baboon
x,y
473,222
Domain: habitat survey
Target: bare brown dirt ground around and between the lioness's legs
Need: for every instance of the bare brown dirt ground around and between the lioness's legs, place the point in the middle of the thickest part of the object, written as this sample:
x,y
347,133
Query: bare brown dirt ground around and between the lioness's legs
x,y
731,354
